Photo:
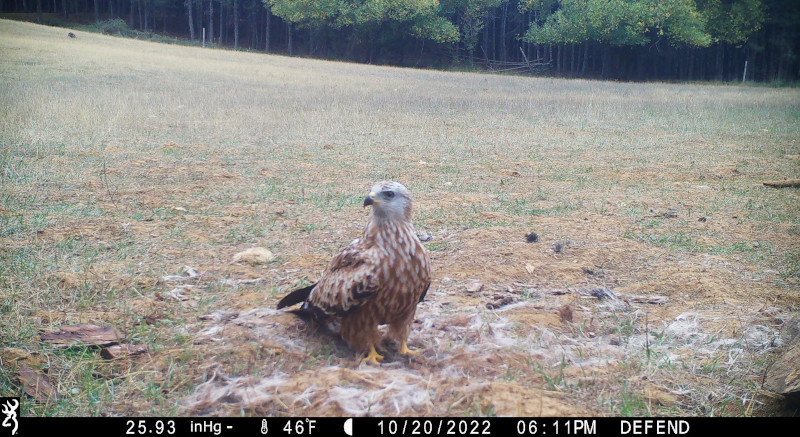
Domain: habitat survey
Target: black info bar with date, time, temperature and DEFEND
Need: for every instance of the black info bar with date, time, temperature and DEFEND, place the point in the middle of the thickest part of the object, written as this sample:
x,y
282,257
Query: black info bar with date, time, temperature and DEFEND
x,y
389,426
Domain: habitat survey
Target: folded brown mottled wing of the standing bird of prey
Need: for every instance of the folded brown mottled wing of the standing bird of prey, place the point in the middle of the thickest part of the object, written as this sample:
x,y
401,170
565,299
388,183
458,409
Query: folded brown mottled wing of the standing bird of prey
x,y
349,281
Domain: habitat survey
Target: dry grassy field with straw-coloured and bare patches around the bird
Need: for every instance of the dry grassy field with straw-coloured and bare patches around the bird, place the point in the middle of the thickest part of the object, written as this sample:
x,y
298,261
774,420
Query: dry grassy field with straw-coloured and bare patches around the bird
x,y
124,161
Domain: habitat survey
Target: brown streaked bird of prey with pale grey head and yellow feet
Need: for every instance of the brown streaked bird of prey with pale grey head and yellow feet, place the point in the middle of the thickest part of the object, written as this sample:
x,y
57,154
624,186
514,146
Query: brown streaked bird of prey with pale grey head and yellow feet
x,y
378,279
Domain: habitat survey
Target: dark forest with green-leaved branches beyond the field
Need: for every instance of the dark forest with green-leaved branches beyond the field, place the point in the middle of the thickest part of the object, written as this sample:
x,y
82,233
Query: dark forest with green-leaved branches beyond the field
x,y
639,40
